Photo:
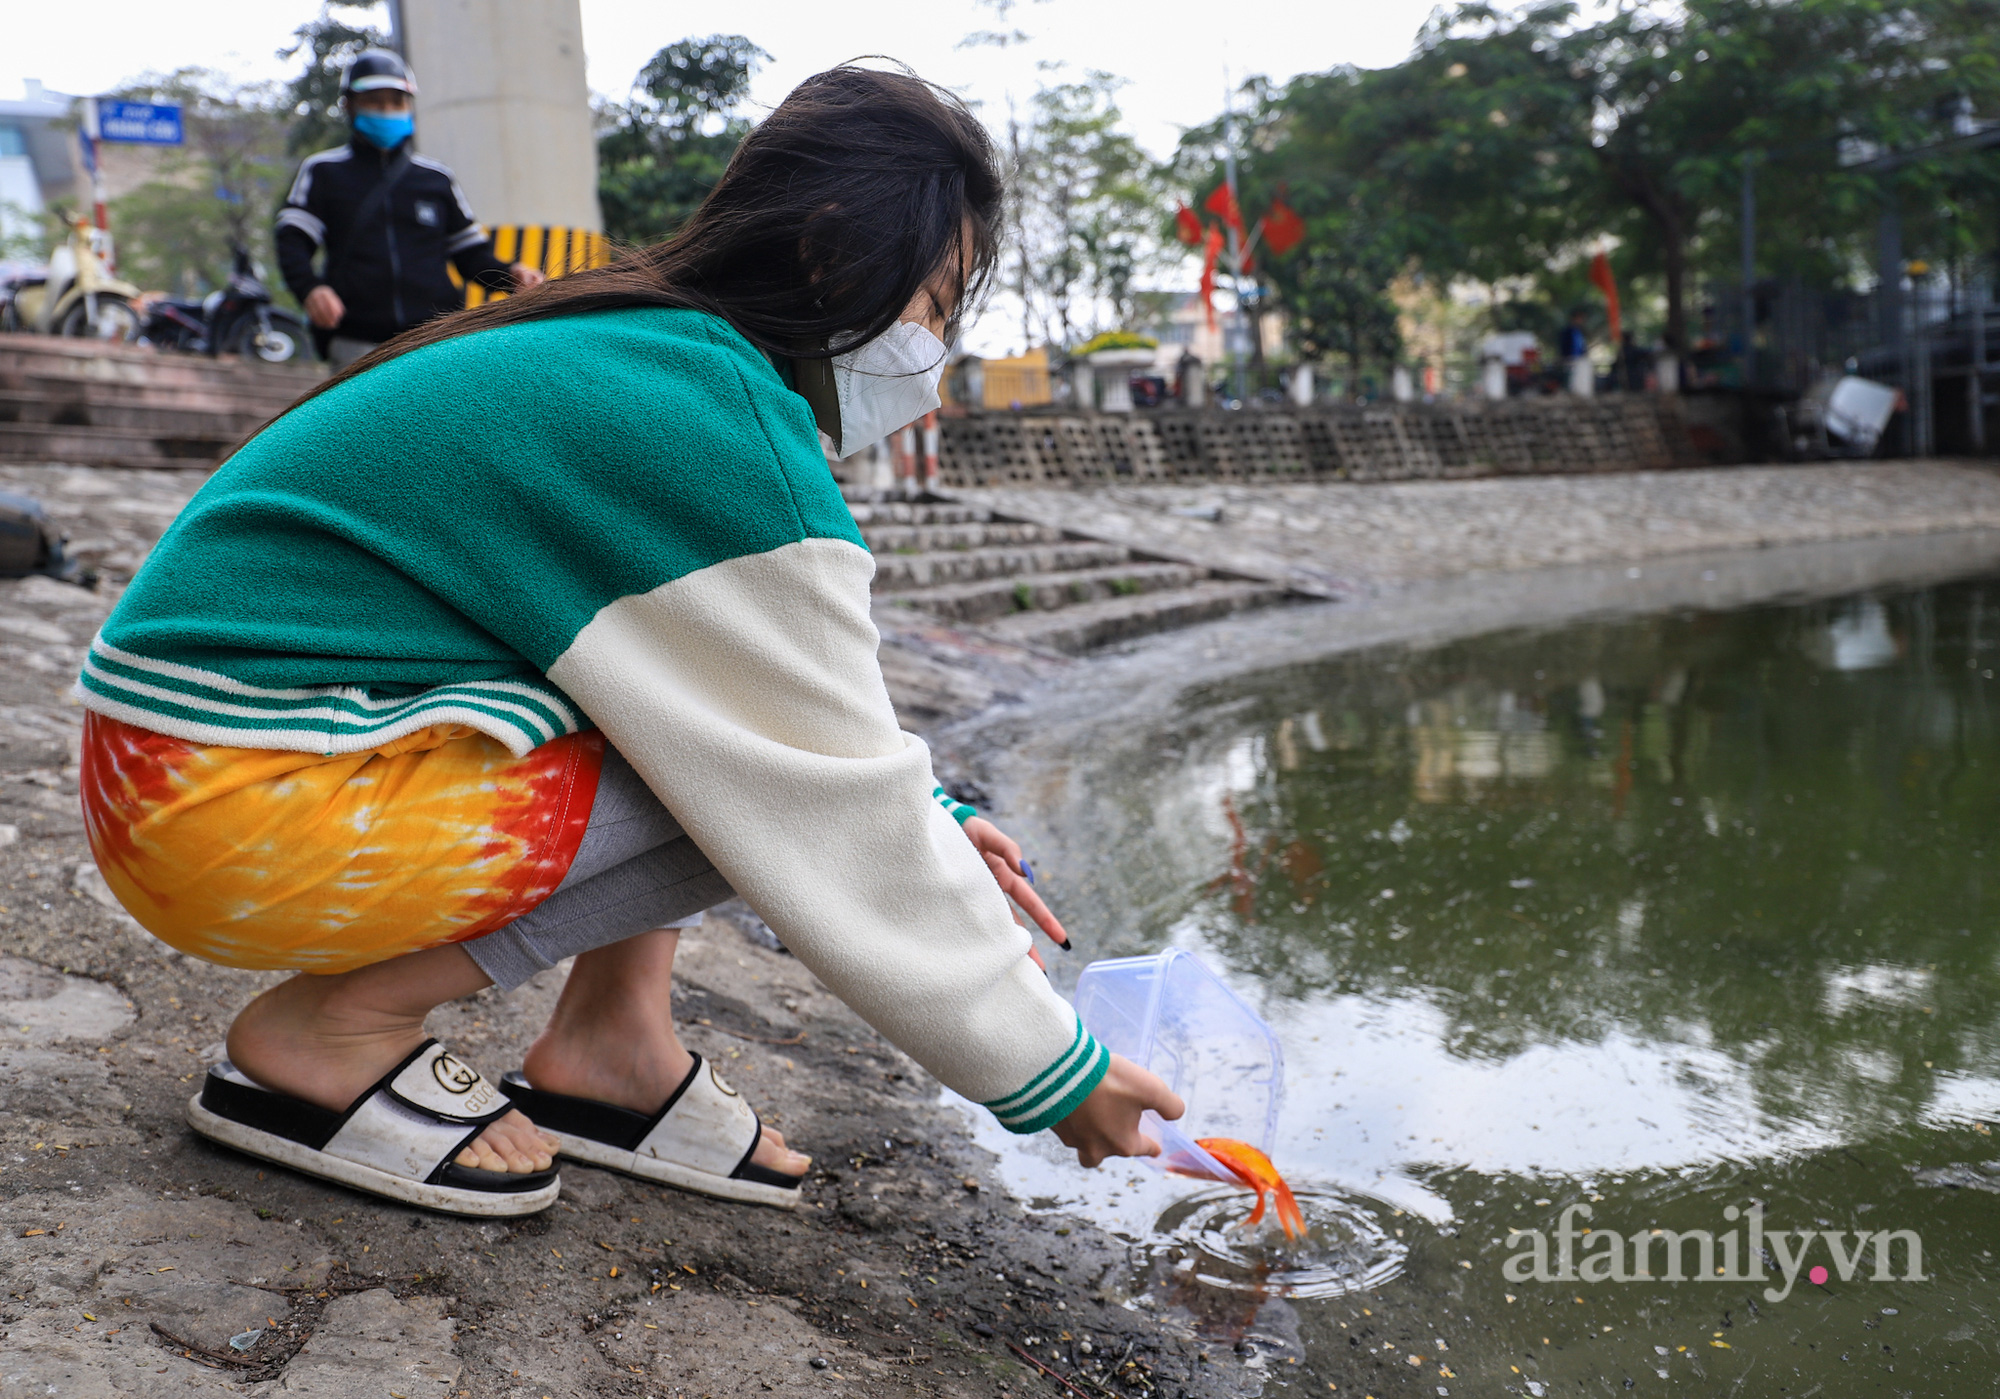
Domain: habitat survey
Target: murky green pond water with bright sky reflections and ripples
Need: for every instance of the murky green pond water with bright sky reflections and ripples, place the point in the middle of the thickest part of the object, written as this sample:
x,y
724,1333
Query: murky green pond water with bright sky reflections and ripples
x,y
1689,920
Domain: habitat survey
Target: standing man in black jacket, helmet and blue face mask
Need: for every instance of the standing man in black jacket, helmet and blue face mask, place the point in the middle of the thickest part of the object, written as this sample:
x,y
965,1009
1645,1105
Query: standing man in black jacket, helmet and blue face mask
x,y
387,221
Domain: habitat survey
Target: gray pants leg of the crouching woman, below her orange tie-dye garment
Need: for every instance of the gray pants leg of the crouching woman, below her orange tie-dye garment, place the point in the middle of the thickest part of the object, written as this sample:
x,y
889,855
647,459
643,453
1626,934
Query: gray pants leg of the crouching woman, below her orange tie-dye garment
x,y
635,870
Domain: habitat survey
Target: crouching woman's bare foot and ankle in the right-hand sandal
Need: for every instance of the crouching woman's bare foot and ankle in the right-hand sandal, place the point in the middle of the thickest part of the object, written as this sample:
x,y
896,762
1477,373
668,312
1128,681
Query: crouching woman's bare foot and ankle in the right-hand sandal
x,y
613,1038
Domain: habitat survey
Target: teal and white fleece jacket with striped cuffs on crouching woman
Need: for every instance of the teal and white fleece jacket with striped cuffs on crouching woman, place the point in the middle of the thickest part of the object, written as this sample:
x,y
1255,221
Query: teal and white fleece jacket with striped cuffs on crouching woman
x,y
619,519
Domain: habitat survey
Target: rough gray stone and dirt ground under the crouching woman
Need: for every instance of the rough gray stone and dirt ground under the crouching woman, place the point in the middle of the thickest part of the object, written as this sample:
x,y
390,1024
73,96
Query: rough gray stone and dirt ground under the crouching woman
x,y
133,1252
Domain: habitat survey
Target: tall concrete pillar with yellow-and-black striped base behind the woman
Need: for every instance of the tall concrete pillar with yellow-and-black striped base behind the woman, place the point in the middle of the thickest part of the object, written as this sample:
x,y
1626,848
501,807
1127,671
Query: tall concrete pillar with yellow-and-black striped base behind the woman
x,y
505,105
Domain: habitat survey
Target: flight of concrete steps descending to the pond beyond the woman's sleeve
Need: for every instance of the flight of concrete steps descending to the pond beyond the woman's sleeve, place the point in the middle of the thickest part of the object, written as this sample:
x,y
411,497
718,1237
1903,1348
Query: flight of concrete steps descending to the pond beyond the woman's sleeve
x,y
1035,585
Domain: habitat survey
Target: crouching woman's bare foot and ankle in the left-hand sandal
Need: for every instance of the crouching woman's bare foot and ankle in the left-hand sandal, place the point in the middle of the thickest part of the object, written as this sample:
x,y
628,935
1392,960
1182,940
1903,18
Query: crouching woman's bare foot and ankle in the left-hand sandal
x,y
327,1040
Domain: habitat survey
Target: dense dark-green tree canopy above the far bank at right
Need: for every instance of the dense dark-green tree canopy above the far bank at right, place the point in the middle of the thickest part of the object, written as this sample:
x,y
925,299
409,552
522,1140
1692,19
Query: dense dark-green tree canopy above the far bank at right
x,y
1513,141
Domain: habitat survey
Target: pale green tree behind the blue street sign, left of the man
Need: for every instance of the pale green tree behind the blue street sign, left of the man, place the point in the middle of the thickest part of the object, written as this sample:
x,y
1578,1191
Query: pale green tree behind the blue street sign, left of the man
x,y
217,191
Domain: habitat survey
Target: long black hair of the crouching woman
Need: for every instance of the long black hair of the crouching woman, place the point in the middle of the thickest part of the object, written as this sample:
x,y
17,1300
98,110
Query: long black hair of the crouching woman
x,y
829,221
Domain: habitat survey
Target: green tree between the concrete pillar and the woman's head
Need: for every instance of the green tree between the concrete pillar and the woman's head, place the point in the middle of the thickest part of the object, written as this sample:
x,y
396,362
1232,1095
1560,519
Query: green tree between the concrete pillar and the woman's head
x,y
665,147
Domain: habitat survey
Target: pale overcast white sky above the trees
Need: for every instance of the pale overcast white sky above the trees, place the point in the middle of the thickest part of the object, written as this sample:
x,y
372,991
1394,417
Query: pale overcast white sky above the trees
x,y
1171,53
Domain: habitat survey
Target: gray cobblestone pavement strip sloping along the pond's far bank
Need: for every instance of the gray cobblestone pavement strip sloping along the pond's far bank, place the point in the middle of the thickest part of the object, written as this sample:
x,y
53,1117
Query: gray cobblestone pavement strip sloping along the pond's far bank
x,y
1339,541
